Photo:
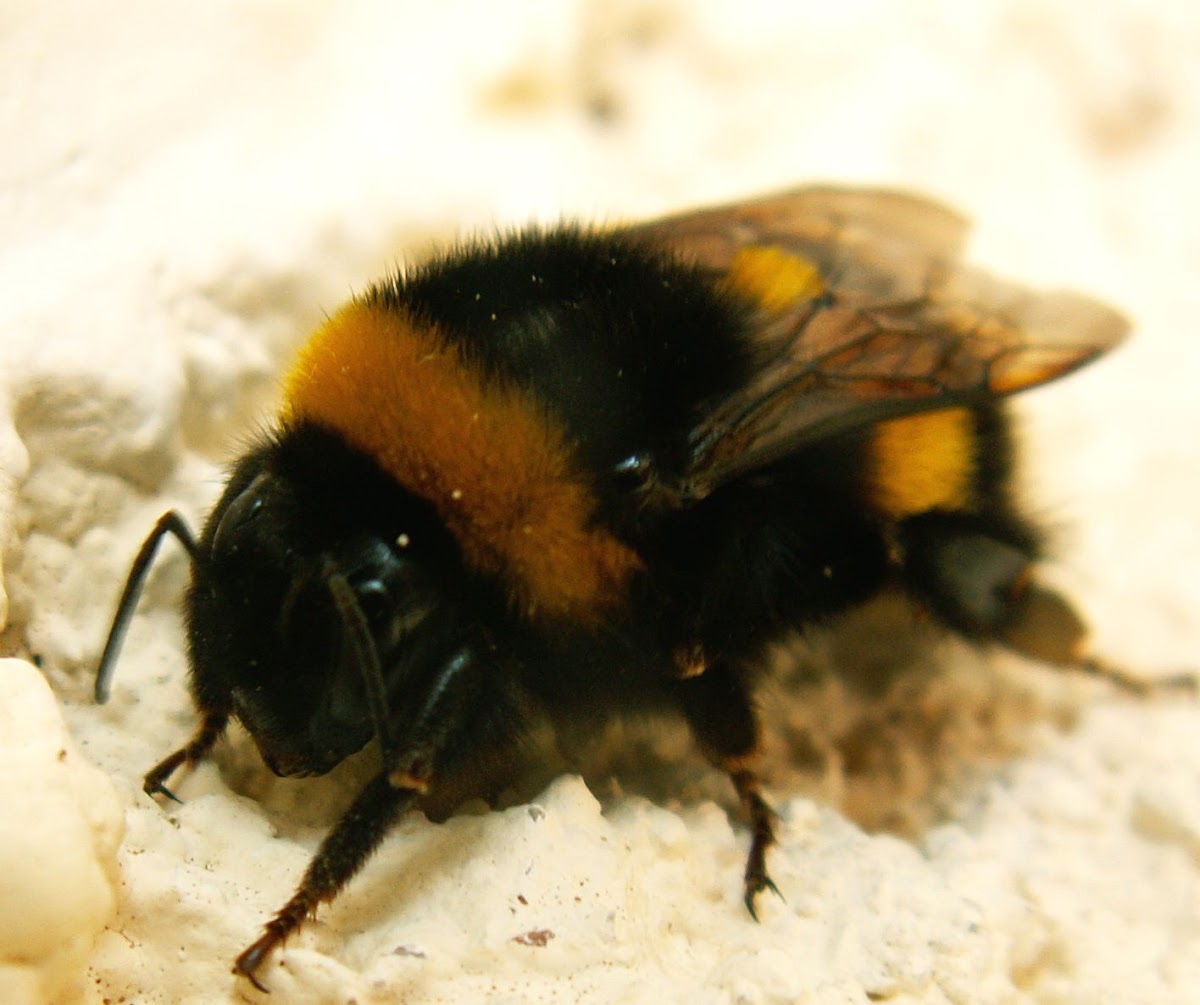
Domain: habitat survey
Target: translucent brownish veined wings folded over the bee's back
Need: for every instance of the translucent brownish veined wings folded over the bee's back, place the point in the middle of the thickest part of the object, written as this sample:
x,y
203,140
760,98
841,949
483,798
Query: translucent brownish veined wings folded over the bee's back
x,y
896,327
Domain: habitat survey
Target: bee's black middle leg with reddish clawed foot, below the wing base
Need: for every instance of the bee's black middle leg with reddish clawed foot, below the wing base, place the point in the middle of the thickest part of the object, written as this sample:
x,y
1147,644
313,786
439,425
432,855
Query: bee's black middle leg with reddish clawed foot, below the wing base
x,y
722,717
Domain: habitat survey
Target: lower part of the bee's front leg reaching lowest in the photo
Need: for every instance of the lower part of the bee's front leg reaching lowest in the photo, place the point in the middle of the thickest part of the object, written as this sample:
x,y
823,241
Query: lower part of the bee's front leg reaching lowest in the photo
x,y
340,857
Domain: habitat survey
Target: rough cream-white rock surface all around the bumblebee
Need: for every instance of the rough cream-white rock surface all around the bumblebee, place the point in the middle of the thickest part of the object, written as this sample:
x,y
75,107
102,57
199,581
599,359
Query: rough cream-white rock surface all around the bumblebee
x,y
185,190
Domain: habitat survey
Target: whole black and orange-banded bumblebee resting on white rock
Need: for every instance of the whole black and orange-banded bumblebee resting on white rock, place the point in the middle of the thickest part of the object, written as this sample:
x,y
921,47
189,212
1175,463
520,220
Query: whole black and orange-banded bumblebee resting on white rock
x,y
573,473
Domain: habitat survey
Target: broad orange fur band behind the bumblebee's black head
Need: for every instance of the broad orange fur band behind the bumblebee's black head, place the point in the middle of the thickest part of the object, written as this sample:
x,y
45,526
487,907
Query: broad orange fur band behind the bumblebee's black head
x,y
493,464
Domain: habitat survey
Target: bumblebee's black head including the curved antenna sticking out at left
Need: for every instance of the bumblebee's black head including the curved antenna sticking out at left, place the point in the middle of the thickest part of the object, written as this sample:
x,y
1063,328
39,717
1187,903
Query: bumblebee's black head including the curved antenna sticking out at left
x,y
317,601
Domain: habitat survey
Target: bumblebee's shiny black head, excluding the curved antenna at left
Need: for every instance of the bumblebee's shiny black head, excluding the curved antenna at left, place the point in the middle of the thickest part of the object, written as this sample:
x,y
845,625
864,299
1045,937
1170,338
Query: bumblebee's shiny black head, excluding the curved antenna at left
x,y
298,605
